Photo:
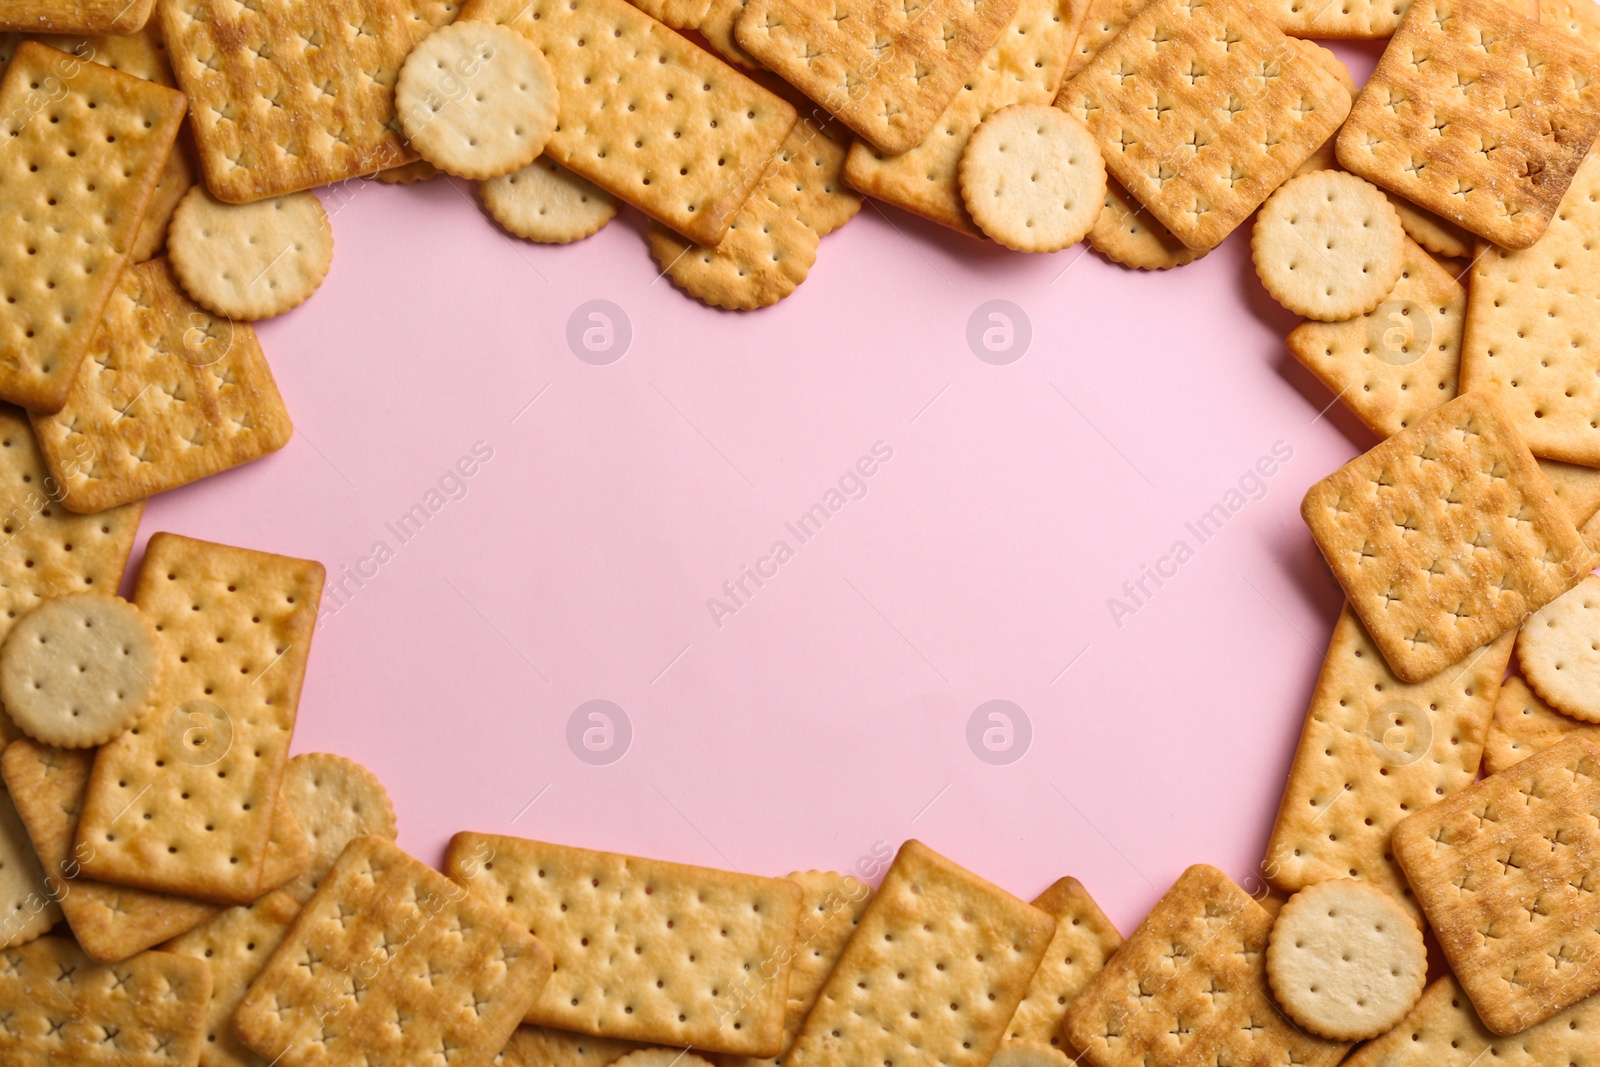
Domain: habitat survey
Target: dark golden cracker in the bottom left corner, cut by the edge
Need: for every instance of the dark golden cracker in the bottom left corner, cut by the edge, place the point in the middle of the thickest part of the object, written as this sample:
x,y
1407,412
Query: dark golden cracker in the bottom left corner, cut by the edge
x,y
65,1009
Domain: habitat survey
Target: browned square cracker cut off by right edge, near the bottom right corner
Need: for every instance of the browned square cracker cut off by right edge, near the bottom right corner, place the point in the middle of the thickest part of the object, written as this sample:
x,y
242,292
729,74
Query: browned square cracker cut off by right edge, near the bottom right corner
x,y
1505,873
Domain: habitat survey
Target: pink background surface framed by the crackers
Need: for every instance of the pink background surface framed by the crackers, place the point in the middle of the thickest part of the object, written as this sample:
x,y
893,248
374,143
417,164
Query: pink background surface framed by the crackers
x,y
826,719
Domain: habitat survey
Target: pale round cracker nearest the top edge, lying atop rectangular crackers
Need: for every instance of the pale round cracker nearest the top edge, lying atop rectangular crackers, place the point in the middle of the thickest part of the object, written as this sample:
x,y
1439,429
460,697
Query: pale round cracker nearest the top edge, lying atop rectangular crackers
x,y
478,100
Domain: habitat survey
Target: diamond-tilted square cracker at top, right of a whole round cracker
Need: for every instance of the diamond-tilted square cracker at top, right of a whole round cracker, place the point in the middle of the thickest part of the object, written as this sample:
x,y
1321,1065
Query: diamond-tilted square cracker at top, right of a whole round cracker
x,y
1202,110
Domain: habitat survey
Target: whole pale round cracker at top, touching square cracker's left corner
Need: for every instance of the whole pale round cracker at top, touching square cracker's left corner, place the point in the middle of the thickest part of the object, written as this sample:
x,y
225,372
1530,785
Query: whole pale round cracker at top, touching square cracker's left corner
x,y
1033,178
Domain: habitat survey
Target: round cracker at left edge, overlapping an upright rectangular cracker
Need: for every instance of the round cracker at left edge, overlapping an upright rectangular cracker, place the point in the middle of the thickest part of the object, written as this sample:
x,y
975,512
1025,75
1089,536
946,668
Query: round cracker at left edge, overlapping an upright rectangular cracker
x,y
79,669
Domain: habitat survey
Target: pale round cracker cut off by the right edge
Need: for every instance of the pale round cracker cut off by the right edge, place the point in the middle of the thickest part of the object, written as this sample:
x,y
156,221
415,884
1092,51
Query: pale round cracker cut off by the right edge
x,y
1559,650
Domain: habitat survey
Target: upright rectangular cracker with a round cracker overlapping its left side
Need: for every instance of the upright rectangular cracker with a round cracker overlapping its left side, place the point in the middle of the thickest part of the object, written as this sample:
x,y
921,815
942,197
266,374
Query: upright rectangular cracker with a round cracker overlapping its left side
x,y
162,810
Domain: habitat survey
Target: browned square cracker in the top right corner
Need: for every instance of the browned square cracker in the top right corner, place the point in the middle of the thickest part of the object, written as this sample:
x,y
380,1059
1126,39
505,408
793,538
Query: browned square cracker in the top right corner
x,y
1478,114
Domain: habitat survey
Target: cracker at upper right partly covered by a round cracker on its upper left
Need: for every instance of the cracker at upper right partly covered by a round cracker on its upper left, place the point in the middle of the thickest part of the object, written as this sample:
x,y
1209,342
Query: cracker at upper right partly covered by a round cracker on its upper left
x,y
1398,362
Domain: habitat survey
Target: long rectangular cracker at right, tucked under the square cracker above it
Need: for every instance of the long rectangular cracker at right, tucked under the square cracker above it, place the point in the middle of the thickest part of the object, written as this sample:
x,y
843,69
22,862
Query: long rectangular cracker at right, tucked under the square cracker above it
x,y
1374,751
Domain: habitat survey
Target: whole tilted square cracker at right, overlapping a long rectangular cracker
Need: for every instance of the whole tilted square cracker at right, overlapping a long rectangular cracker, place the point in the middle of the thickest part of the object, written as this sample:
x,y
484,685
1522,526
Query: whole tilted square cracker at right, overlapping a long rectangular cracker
x,y
1446,537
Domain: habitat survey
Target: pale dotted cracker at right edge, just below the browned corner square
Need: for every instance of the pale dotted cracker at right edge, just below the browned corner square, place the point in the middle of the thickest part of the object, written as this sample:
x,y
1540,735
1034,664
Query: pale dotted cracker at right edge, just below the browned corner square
x,y
1532,327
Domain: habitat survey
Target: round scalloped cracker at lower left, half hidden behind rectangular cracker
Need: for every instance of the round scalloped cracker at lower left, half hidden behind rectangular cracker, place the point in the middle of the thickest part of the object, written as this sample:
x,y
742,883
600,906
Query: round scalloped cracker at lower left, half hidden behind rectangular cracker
x,y
335,801
